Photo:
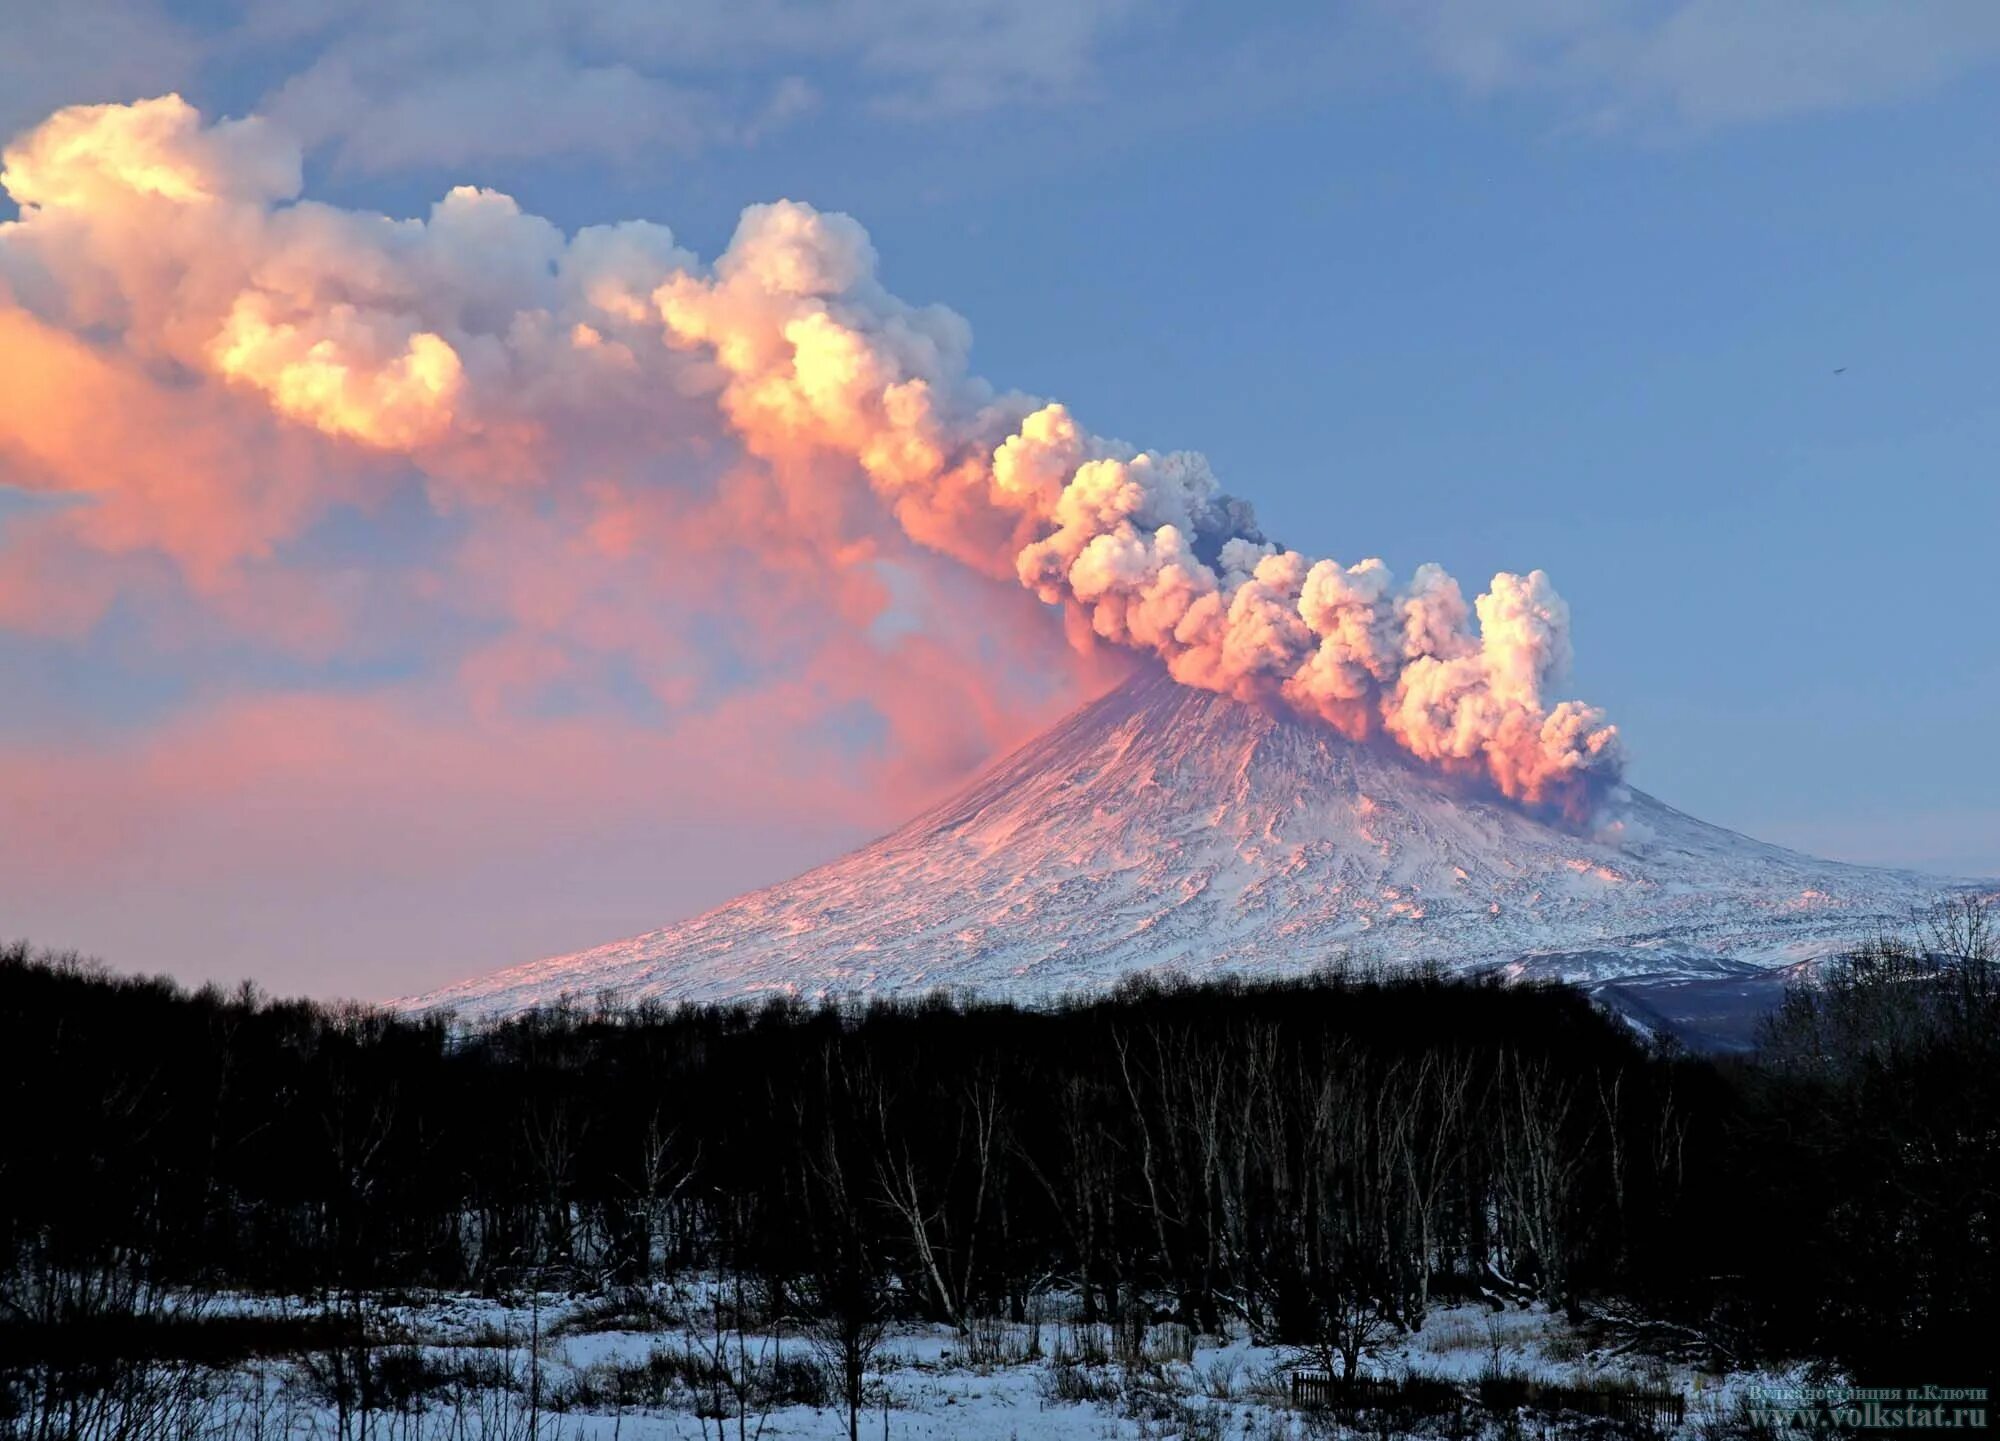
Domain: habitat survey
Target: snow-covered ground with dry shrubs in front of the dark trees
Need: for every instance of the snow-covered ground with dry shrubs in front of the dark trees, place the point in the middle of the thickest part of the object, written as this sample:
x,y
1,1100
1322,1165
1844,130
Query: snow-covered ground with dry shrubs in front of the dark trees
x,y
551,1370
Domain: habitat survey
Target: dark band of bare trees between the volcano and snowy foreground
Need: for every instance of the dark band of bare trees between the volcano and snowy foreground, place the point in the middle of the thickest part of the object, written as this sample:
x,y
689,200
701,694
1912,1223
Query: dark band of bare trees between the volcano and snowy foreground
x,y
1315,1160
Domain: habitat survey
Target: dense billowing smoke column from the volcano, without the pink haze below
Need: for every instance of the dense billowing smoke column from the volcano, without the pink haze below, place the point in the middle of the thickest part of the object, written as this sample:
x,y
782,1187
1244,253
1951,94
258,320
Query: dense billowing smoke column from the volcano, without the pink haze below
x,y
483,341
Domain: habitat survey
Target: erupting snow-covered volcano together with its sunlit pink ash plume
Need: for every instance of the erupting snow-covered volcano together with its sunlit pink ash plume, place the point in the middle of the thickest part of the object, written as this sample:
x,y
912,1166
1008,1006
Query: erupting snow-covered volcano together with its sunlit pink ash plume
x,y
663,489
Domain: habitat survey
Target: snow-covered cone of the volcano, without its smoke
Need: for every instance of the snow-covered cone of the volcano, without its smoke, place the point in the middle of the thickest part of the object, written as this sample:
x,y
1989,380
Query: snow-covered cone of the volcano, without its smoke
x,y
1171,828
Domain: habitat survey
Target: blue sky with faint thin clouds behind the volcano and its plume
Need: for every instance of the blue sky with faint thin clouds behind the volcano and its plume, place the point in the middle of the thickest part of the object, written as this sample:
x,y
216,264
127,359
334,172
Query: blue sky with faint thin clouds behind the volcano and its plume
x,y
1503,287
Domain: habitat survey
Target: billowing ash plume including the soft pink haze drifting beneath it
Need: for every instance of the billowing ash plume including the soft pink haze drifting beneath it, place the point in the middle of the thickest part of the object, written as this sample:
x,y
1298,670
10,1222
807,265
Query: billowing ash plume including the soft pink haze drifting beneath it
x,y
533,531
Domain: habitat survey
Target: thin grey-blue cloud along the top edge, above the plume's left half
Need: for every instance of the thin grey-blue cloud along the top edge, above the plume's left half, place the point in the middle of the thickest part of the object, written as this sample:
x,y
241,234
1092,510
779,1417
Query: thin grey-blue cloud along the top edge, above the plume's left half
x,y
453,81
